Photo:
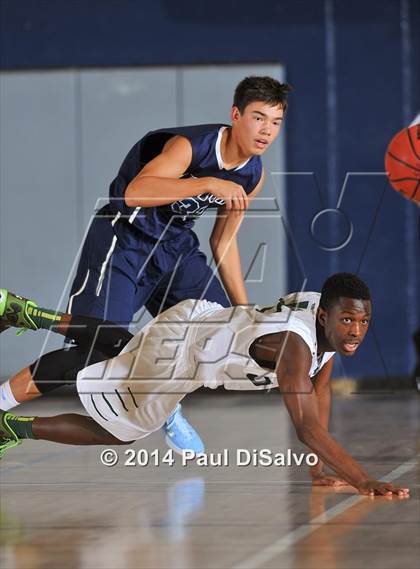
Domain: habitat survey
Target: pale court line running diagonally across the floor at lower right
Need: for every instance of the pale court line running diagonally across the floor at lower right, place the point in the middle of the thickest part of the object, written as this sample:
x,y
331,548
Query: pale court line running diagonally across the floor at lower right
x,y
293,537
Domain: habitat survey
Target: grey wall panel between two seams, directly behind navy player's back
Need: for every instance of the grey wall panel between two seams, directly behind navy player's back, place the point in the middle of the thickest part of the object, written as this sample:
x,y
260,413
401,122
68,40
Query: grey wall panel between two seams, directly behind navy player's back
x,y
118,106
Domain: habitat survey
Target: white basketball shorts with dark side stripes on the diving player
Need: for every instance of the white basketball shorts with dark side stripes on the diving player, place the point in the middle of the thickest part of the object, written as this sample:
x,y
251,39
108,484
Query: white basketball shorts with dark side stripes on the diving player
x,y
134,393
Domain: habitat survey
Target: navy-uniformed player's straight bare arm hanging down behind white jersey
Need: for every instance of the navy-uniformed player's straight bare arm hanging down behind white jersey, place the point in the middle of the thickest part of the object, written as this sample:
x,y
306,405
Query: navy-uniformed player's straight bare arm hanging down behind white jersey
x,y
224,245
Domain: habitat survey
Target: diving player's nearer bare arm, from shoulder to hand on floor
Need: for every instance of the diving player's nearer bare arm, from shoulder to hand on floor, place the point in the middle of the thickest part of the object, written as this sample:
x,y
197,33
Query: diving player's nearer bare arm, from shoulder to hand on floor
x,y
292,358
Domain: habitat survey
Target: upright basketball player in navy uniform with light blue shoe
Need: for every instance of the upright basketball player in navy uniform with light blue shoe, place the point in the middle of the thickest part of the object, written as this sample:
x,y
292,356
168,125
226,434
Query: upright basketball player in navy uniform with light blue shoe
x,y
141,249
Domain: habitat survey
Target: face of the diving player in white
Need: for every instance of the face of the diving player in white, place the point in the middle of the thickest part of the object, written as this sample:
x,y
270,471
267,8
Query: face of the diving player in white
x,y
345,324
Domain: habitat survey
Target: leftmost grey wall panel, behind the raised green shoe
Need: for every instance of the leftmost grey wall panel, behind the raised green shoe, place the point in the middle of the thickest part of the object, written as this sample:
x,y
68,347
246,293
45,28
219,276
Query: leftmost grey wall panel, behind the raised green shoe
x,y
38,232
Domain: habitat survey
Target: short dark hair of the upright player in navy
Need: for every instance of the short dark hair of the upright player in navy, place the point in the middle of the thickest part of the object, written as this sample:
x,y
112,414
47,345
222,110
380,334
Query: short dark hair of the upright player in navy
x,y
261,88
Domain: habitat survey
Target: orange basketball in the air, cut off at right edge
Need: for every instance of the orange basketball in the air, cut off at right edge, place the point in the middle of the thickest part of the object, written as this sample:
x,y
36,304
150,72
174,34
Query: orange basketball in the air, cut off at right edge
x,y
402,162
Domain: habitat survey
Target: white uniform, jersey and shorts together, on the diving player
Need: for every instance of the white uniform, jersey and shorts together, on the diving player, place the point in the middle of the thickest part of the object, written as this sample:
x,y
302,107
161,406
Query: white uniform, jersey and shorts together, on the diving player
x,y
192,344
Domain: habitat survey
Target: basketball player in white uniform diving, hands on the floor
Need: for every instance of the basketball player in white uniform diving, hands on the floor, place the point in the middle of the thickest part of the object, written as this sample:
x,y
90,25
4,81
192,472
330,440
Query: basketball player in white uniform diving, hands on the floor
x,y
200,343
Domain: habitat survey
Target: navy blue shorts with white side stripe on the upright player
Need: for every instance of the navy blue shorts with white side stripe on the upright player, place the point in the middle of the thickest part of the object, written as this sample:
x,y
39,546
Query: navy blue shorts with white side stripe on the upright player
x,y
116,276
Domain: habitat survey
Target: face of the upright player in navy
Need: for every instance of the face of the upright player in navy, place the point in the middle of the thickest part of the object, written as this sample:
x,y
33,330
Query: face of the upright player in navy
x,y
257,127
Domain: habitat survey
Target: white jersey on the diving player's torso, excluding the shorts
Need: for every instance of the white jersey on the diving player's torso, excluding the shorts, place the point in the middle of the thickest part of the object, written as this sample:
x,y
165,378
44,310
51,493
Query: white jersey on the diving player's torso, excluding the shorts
x,y
220,343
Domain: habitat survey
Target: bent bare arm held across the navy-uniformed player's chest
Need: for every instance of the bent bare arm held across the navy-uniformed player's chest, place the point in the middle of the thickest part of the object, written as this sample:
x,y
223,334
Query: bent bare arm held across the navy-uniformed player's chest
x,y
159,181
